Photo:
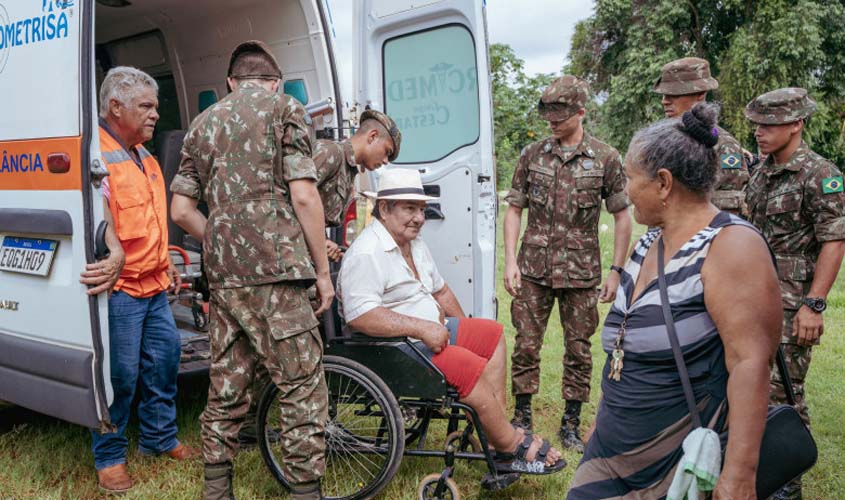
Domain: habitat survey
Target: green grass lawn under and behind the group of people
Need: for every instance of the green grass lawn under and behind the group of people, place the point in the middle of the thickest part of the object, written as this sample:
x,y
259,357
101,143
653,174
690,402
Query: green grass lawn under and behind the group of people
x,y
43,458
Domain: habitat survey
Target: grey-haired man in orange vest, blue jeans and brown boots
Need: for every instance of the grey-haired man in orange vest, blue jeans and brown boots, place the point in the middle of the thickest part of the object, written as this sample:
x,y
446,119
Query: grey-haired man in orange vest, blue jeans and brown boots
x,y
144,345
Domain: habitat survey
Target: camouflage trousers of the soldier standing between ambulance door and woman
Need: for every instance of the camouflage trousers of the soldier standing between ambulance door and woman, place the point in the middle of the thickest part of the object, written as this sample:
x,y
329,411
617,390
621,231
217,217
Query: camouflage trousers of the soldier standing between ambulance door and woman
x,y
530,311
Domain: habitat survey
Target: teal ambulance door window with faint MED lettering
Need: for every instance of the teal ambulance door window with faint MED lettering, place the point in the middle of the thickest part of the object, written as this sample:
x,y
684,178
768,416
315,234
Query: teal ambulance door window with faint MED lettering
x,y
431,91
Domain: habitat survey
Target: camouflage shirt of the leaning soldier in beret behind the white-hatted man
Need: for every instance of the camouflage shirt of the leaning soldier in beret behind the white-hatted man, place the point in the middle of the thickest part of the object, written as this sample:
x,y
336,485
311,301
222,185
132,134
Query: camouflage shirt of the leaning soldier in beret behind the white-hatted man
x,y
336,169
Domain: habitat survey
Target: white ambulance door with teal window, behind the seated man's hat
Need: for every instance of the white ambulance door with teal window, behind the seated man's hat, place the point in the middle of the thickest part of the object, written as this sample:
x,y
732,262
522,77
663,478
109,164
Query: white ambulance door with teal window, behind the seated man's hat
x,y
425,63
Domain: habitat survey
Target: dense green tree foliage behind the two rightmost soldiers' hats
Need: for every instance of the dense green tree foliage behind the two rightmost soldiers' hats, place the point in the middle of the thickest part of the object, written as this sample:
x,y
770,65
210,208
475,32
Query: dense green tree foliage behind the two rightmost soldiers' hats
x,y
753,46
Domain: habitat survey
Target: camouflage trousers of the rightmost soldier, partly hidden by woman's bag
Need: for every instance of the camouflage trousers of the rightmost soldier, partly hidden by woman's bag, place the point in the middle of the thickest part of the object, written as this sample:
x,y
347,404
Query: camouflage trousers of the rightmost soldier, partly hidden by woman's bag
x,y
797,359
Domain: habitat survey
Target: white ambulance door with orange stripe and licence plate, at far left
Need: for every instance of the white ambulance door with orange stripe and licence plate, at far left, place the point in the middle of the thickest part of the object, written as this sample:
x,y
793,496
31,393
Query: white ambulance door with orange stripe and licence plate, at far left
x,y
53,350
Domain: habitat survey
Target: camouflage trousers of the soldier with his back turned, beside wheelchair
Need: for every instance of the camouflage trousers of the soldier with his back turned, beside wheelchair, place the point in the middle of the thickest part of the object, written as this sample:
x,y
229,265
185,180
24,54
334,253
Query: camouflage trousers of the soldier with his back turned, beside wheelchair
x,y
271,326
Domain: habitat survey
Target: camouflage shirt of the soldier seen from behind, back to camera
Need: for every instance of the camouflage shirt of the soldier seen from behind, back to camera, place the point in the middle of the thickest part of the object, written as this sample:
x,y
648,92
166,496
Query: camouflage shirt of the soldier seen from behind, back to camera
x,y
239,156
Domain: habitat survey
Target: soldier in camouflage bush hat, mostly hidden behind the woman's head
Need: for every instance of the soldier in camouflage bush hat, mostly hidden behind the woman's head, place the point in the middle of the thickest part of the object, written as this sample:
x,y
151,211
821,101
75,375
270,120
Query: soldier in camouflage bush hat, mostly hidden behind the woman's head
x,y
683,83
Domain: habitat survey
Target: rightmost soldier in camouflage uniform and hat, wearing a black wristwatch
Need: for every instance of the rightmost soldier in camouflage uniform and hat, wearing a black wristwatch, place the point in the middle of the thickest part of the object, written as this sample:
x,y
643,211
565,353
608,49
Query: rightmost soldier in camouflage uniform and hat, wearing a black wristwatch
x,y
796,199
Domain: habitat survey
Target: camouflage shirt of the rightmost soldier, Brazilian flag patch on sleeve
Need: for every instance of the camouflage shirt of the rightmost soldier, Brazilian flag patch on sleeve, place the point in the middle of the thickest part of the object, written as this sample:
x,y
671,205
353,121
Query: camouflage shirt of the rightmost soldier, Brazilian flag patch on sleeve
x,y
797,206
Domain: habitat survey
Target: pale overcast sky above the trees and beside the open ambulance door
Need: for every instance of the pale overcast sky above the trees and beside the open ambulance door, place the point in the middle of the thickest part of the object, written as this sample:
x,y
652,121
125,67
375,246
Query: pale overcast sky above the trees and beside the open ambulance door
x,y
539,31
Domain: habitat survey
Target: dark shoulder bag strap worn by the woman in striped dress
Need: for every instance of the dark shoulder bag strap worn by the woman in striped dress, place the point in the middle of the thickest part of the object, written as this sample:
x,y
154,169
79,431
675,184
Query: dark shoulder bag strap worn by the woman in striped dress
x,y
786,380
